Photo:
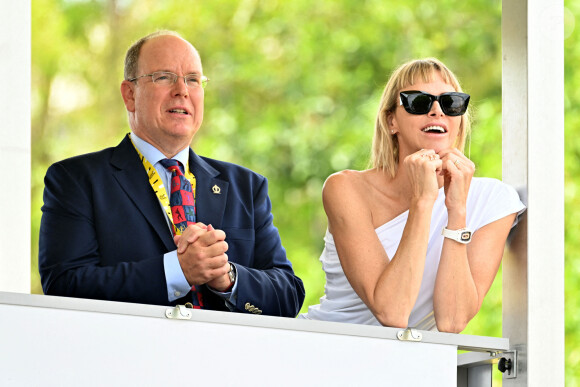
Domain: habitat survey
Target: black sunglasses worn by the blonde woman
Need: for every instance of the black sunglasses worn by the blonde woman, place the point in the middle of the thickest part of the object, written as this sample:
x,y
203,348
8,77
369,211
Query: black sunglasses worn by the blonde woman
x,y
419,102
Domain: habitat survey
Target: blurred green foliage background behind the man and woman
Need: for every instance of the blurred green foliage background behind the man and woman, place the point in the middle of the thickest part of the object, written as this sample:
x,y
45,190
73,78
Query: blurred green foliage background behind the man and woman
x,y
294,90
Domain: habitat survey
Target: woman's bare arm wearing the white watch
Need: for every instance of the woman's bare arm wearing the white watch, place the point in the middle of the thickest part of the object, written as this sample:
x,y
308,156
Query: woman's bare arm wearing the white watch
x,y
465,272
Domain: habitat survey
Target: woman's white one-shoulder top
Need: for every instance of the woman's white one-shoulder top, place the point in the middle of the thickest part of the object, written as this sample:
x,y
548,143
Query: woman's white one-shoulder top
x,y
488,200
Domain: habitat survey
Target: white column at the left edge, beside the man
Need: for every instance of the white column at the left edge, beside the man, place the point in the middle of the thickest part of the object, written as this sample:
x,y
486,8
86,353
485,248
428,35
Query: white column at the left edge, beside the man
x,y
15,146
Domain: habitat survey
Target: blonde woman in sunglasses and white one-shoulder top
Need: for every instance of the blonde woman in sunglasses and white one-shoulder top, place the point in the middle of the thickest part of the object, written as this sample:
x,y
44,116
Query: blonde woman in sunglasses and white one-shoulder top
x,y
416,240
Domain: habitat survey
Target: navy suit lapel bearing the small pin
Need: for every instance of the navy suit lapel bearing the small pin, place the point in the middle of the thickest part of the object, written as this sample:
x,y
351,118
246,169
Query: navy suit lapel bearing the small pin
x,y
210,193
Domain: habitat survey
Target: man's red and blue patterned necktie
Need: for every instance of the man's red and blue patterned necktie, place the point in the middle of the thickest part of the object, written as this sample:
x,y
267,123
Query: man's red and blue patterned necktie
x,y
182,205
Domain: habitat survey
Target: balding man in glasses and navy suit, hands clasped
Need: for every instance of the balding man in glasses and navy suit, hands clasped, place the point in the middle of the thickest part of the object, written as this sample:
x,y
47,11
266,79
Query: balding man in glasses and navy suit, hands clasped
x,y
106,232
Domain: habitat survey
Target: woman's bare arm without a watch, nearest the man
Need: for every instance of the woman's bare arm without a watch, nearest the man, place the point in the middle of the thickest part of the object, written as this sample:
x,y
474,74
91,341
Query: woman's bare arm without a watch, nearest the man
x,y
388,288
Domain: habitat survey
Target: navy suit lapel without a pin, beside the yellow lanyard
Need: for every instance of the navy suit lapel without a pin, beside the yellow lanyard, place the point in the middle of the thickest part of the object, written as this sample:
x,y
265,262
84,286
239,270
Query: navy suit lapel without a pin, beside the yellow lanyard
x,y
131,176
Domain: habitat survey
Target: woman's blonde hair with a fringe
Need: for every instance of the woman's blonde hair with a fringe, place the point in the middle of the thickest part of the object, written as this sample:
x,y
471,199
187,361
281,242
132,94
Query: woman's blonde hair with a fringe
x,y
385,148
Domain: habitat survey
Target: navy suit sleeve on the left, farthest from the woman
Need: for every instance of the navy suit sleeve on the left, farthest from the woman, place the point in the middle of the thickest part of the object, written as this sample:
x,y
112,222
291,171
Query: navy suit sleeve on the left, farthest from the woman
x,y
72,245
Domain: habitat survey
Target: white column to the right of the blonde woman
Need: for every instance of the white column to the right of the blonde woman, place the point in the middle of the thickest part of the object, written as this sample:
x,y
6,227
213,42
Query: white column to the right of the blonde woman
x,y
533,162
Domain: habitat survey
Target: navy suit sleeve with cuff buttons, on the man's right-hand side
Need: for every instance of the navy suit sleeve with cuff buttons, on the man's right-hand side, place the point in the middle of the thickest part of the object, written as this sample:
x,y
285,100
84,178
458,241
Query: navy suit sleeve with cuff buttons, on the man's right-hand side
x,y
268,284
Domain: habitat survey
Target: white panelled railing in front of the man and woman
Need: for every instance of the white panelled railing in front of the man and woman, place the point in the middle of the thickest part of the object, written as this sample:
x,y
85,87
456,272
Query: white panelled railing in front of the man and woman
x,y
58,341
